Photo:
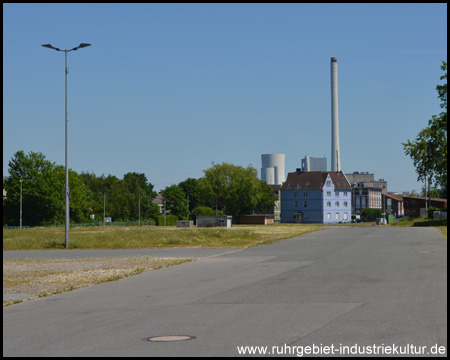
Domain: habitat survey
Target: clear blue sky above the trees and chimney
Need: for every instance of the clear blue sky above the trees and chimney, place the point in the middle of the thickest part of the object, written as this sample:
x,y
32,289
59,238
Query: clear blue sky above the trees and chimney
x,y
168,89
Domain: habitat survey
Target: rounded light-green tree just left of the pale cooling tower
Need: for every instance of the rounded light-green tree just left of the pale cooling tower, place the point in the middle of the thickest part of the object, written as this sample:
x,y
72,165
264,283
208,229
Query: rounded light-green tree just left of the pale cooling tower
x,y
235,190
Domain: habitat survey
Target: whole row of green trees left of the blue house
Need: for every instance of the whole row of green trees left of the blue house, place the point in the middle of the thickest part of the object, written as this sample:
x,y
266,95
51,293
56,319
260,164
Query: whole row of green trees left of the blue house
x,y
225,189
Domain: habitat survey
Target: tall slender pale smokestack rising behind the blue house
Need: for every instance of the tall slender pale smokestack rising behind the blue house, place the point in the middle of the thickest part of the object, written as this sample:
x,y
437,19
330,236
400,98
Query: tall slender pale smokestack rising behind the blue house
x,y
335,150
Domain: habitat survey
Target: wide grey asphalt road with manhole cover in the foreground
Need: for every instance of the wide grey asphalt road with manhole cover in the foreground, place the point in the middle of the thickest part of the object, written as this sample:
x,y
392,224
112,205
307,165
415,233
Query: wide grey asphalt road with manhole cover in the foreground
x,y
355,288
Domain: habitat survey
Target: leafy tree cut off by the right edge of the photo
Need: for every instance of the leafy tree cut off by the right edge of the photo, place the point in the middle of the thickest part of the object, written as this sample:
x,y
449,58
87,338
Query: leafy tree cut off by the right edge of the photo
x,y
429,150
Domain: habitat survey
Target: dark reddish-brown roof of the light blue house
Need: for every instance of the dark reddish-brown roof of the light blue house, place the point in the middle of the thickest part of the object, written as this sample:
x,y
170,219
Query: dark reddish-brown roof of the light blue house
x,y
315,180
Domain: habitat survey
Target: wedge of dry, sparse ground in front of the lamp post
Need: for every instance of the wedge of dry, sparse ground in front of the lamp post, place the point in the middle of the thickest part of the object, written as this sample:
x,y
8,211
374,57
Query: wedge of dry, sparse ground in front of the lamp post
x,y
30,278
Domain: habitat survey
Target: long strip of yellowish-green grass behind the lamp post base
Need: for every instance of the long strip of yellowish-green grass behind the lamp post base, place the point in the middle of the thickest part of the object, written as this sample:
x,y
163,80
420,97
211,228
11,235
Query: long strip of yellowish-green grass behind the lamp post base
x,y
41,238
